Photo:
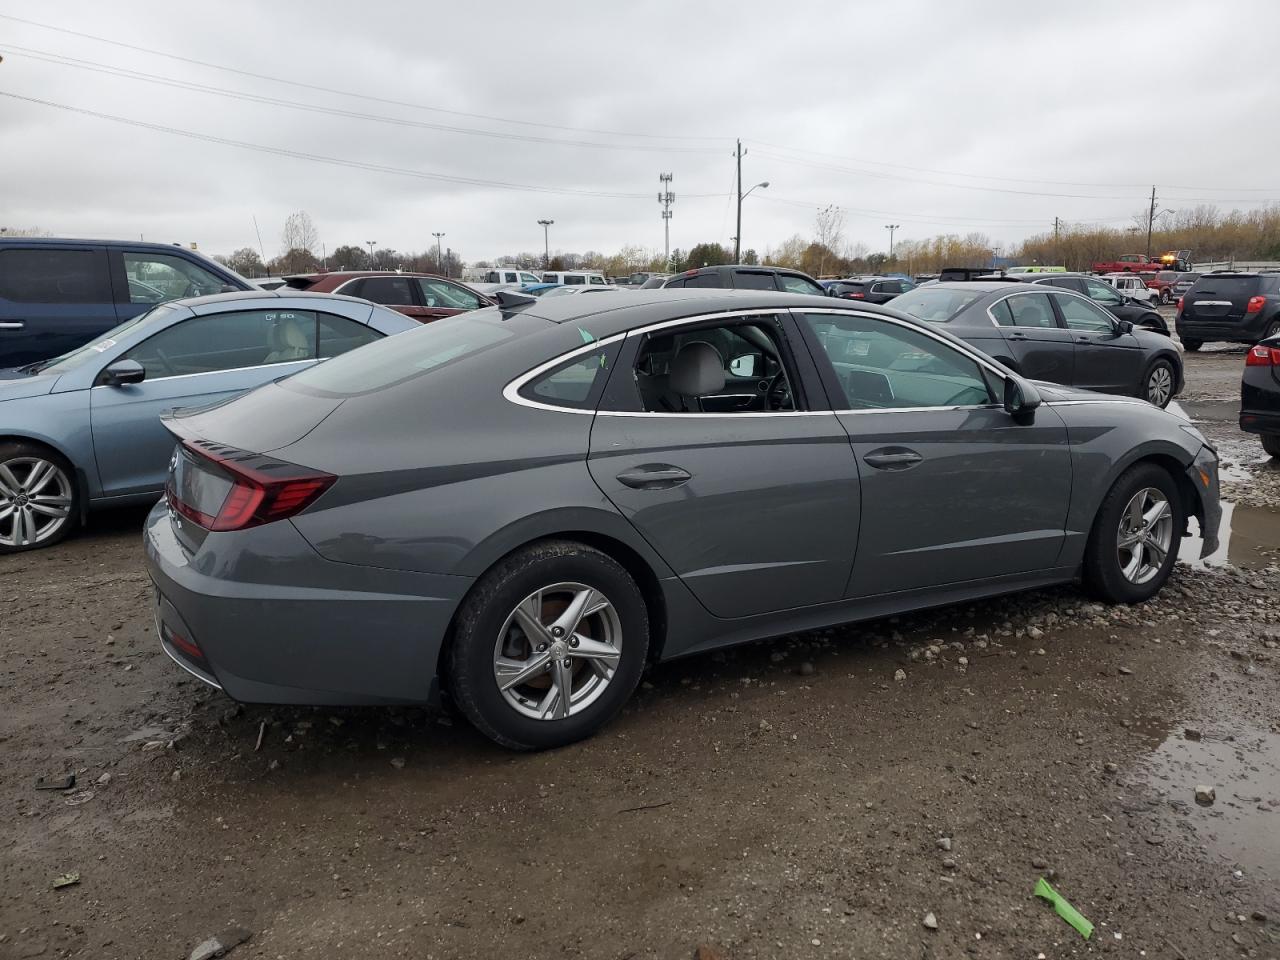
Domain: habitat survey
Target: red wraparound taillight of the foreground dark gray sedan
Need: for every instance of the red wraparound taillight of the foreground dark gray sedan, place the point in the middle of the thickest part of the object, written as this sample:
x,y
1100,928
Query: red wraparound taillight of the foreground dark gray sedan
x,y
263,490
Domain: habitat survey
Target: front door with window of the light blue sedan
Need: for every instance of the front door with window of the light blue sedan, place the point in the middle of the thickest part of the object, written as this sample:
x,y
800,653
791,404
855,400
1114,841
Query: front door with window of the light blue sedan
x,y
195,362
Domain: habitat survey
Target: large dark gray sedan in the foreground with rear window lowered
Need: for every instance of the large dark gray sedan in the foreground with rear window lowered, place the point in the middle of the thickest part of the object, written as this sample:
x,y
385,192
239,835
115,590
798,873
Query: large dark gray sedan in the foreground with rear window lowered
x,y
525,505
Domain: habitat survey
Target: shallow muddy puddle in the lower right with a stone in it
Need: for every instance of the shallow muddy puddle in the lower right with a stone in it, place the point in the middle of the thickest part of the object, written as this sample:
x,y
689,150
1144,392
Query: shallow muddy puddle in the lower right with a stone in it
x,y
1242,825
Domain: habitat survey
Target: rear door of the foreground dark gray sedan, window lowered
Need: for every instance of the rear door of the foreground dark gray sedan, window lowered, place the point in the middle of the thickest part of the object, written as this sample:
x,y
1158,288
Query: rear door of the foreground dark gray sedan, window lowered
x,y
756,511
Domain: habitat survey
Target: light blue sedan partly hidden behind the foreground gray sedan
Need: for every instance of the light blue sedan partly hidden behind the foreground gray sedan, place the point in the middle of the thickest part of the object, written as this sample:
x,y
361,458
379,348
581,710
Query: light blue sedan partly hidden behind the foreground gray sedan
x,y
83,431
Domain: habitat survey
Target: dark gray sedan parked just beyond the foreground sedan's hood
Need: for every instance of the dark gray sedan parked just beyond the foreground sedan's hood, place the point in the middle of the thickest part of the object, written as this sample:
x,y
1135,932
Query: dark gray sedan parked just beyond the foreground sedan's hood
x,y
1053,335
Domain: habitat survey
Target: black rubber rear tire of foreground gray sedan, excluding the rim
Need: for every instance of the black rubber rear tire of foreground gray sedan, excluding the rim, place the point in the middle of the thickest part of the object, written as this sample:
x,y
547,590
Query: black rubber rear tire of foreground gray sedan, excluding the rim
x,y
470,660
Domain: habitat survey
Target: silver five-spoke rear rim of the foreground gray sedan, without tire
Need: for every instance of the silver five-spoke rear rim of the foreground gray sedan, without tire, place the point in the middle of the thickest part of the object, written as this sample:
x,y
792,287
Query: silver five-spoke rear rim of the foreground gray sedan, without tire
x,y
557,651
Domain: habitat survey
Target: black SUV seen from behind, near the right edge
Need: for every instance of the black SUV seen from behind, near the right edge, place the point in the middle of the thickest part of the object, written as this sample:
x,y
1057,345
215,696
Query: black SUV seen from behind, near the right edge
x,y
1236,308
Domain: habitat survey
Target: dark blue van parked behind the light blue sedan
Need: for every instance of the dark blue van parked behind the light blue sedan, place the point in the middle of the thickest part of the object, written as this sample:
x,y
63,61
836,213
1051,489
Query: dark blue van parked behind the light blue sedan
x,y
57,295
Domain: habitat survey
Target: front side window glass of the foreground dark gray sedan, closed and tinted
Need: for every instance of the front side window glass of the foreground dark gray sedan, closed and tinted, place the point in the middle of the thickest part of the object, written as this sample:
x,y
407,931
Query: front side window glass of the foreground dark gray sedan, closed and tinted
x,y
884,367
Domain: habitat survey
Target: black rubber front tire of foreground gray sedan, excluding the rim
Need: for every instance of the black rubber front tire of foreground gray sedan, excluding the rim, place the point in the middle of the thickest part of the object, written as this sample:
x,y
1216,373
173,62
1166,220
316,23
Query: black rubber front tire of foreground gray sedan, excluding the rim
x,y
1104,579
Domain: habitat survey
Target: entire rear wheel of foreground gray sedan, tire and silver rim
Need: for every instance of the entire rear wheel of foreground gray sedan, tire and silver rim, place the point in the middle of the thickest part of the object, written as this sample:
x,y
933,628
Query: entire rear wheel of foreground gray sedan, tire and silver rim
x,y
548,646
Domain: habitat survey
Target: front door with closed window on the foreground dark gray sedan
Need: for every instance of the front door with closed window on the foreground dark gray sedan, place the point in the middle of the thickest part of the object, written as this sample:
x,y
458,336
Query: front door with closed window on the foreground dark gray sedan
x,y
953,490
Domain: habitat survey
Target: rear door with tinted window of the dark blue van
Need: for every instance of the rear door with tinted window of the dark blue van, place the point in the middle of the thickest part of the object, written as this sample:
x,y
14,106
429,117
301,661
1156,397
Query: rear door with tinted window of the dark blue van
x,y
53,300
